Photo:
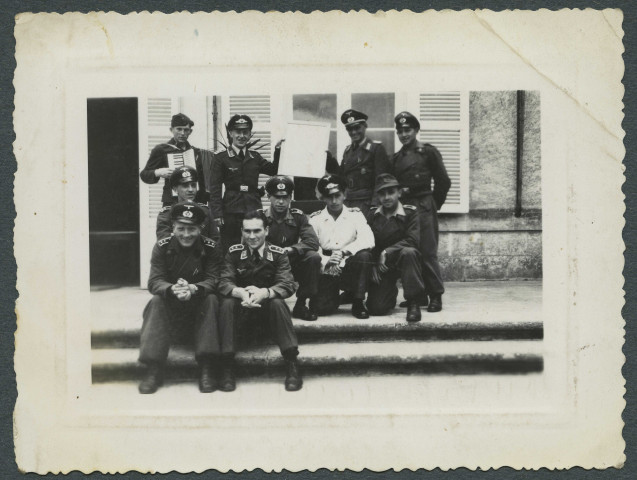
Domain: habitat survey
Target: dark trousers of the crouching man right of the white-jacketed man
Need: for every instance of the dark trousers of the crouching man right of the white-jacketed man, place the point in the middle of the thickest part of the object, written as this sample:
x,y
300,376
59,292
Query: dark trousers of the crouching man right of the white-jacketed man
x,y
405,264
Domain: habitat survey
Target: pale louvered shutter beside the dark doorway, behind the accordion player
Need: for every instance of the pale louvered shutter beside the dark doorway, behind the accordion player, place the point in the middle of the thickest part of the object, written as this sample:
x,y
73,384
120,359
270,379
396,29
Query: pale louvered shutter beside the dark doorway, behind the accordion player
x,y
154,122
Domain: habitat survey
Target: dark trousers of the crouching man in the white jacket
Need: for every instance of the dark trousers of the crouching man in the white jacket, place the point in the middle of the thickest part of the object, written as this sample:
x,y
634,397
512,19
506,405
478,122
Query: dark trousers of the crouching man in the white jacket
x,y
355,278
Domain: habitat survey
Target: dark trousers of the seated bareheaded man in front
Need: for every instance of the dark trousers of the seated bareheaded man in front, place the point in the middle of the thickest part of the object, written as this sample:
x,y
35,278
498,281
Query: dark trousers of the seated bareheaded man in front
x,y
248,321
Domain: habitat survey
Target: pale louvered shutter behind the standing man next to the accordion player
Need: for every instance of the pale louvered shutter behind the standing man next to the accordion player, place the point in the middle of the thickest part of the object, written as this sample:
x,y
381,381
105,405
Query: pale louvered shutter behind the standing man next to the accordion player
x,y
258,108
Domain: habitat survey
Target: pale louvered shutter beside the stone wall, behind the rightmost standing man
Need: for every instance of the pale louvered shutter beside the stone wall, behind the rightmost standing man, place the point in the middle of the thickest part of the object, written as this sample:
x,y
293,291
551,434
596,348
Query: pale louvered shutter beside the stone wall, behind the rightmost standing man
x,y
444,124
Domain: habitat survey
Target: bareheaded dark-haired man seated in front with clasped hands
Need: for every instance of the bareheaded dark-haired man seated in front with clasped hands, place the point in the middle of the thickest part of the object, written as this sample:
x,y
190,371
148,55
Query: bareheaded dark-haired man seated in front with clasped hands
x,y
256,281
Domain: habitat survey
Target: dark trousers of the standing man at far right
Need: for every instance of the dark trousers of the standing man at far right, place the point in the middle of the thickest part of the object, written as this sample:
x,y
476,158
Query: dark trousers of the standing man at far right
x,y
428,217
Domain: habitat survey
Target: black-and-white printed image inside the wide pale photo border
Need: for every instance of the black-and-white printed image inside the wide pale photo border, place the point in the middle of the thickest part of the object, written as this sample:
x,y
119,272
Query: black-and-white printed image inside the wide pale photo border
x,y
434,196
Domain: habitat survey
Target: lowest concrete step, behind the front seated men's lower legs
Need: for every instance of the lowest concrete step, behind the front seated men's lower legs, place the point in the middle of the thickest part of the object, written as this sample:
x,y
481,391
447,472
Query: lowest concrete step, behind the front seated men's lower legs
x,y
416,357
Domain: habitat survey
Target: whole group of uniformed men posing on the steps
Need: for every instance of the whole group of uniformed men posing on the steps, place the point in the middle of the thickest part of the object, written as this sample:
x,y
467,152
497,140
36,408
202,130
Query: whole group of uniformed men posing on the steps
x,y
223,266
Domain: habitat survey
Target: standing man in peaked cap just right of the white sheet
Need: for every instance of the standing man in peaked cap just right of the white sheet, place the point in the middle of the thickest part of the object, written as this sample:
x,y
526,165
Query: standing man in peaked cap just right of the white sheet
x,y
363,161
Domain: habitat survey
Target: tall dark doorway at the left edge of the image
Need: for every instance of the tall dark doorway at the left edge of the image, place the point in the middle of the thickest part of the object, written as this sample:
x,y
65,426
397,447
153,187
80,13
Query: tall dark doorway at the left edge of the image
x,y
113,191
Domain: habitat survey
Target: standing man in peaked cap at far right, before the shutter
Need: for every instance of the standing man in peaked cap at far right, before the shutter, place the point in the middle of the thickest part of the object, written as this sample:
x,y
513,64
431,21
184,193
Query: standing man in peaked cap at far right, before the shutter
x,y
415,165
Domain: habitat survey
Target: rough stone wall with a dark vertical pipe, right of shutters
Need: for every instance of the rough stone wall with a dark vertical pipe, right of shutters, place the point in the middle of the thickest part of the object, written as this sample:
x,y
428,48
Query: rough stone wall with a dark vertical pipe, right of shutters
x,y
489,242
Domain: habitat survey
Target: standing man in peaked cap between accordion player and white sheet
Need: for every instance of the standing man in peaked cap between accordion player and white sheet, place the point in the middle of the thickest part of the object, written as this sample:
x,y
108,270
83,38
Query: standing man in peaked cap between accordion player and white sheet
x,y
238,169
